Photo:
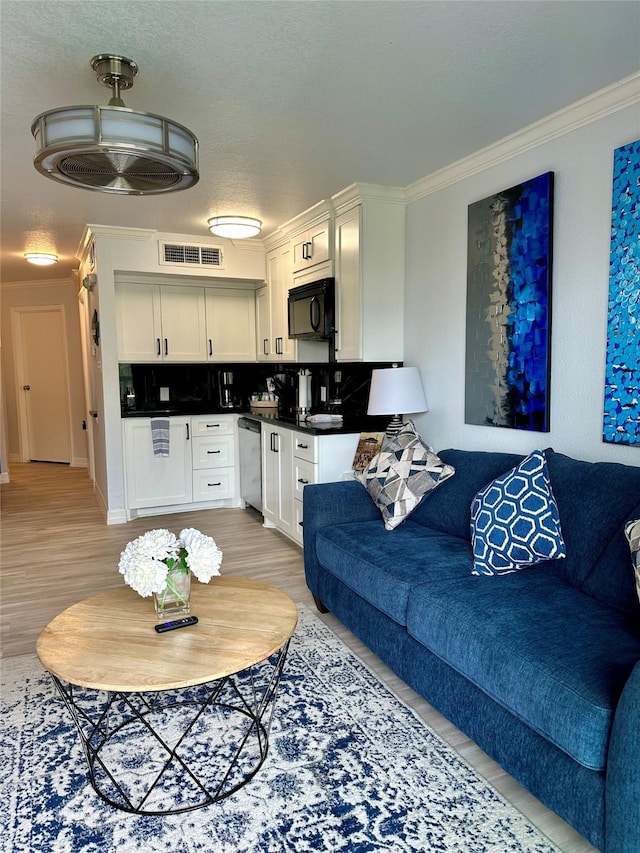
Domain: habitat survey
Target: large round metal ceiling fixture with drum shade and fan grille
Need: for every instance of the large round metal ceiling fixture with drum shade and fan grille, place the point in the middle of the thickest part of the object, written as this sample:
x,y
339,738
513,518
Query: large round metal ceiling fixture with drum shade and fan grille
x,y
114,149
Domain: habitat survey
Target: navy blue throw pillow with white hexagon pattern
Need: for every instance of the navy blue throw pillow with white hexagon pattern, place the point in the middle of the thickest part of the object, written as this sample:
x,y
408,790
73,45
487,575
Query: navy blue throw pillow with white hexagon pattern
x,y
515,521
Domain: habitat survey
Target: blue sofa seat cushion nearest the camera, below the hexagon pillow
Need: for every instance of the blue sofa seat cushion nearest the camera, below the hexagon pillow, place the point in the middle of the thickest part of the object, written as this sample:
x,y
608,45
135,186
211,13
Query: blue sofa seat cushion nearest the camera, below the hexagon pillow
x,y
554,657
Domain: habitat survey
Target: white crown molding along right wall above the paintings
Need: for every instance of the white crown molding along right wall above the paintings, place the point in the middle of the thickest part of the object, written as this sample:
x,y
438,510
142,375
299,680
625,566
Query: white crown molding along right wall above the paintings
x,y
623,94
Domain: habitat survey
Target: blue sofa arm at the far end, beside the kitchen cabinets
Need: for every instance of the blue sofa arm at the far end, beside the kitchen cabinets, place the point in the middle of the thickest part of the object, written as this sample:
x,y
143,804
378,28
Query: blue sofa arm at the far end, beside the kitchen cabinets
x,y
326,504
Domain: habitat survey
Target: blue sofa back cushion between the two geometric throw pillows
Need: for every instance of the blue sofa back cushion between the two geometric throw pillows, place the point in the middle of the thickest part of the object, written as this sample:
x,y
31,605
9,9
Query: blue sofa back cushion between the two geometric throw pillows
x,y
448,508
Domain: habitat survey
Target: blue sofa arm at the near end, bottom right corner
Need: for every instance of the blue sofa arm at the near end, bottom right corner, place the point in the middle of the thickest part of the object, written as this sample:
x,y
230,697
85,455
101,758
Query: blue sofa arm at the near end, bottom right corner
x,y
622,796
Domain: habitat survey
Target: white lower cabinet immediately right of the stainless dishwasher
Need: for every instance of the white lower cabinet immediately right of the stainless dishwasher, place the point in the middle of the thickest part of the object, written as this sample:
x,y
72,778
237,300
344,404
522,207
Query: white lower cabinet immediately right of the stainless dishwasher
x,y
277,477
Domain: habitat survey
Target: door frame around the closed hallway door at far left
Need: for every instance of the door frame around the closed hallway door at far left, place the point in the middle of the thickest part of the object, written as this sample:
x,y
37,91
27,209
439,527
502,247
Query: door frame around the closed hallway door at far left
x,y
20,370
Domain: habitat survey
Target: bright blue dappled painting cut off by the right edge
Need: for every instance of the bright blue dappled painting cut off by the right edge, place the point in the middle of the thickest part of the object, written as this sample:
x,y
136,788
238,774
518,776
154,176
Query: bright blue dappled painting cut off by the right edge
x,y
622,372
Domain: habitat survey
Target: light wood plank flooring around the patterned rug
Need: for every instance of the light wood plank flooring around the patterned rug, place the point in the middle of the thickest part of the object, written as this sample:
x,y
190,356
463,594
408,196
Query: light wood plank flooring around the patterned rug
x,y
56,550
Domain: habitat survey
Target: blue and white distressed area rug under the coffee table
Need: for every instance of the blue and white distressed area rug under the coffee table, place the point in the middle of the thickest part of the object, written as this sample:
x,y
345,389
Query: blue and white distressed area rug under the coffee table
x,y
350,768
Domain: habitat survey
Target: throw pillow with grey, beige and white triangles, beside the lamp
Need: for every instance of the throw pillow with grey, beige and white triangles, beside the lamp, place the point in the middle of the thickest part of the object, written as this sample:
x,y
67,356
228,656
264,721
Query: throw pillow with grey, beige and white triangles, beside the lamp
x,y
402,473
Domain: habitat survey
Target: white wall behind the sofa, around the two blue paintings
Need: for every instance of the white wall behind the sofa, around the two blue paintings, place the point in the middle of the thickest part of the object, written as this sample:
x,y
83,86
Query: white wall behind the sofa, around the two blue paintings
x,y
582,161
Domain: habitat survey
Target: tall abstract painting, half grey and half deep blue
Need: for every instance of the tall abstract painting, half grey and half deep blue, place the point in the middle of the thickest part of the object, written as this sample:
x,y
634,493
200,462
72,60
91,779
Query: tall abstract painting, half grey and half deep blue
x,y
508,336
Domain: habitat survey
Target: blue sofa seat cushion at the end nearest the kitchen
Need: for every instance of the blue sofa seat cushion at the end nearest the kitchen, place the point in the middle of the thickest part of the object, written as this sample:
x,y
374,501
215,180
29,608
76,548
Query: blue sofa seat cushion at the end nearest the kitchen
x,y
382,568
